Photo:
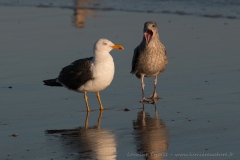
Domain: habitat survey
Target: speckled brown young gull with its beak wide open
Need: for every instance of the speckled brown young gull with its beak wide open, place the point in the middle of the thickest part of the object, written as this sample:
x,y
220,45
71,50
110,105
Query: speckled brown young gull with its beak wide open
x,y
149,58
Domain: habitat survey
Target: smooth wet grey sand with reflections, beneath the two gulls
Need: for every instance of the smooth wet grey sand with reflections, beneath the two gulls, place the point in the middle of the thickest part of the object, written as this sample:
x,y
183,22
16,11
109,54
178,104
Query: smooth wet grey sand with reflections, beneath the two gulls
x,y
198,115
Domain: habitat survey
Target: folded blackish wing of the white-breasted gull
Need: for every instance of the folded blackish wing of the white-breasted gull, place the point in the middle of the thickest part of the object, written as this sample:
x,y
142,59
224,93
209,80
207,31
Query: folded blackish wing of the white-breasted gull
x,y
76,74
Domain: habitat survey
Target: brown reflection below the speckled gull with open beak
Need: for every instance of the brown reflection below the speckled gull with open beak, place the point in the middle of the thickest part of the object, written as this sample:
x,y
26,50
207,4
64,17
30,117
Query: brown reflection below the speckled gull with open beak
x,y
151,136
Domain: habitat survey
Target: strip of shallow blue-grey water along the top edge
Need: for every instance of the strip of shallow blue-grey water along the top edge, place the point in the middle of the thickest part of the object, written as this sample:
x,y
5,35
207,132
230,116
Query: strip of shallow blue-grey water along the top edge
x,y
207,8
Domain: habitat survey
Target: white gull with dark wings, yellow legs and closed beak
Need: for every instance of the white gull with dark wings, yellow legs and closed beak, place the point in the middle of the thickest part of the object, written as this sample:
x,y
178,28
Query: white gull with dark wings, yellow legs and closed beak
x,y
91,74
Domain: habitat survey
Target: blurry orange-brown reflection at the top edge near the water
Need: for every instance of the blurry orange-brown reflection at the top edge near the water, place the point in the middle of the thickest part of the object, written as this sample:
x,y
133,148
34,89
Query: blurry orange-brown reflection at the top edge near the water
x,y
80,13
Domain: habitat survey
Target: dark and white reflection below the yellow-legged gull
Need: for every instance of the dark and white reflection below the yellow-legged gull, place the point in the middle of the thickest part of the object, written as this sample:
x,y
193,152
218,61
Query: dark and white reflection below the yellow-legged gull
x,y
88,142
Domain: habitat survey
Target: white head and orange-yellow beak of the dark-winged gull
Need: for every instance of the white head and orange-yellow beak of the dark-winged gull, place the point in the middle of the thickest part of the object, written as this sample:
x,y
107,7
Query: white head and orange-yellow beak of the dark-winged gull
x,y
104,45
